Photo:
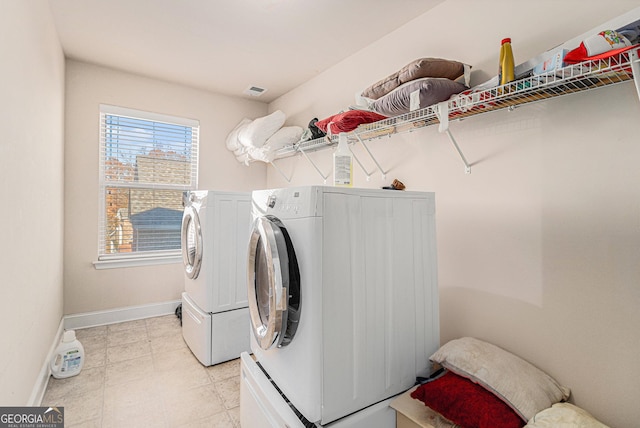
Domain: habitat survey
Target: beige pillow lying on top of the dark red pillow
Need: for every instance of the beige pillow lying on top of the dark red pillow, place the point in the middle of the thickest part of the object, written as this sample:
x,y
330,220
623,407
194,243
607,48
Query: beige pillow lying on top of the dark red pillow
x,y
522,386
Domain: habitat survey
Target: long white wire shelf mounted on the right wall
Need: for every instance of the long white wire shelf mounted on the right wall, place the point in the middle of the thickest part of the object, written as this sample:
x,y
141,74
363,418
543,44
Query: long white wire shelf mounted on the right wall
x,y
568,80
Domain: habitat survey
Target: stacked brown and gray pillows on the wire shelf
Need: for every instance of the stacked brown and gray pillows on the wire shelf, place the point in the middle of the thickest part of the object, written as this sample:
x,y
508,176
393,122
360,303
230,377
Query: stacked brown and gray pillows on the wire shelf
x,y
419,84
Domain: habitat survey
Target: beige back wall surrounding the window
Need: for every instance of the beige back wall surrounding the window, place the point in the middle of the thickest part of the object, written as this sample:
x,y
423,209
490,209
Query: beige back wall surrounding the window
x,y
87,289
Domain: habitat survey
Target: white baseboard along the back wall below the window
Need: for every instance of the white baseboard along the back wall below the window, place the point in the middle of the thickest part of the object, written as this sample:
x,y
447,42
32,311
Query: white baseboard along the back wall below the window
x,y
112,316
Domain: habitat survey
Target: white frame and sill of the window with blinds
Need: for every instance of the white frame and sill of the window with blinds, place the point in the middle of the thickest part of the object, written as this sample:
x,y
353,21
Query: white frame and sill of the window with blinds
x,y
119,260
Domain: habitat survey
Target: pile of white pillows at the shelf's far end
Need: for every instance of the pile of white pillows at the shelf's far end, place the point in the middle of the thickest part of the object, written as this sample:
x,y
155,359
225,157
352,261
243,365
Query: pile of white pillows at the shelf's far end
x,y
259,139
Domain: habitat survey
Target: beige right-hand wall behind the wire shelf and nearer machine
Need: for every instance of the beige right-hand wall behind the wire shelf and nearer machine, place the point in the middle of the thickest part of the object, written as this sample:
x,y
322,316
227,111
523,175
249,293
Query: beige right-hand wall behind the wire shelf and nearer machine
x,y
539,247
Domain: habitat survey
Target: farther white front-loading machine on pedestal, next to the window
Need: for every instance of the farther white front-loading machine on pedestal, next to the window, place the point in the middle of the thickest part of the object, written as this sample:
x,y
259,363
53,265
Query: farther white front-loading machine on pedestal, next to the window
x,y
215,317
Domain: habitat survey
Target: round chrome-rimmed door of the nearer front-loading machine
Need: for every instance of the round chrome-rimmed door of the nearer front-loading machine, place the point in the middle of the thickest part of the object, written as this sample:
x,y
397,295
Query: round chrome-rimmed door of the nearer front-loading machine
x,y
273,280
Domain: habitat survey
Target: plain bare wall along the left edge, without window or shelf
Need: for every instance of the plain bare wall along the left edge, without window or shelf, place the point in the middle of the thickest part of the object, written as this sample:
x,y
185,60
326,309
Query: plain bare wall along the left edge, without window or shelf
x,y
31,191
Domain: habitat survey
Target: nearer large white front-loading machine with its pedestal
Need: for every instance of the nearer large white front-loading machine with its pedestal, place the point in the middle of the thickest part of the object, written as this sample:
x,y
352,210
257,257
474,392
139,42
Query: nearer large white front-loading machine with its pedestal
x,y
343,301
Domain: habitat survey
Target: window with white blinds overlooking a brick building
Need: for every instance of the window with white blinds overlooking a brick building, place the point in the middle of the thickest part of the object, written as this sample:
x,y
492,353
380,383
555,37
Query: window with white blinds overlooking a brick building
x,y
147,162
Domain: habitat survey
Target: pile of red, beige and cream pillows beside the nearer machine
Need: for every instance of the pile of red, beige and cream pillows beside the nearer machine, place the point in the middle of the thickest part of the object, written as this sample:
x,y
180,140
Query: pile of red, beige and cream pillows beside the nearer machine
x,y
485,386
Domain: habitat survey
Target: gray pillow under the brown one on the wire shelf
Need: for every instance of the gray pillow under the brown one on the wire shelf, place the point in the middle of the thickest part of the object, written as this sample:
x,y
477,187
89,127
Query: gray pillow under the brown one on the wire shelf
x,y
430,91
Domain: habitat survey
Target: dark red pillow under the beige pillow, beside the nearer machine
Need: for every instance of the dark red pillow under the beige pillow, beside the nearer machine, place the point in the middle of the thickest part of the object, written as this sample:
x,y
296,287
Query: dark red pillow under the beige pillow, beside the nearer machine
x,y
466,403
